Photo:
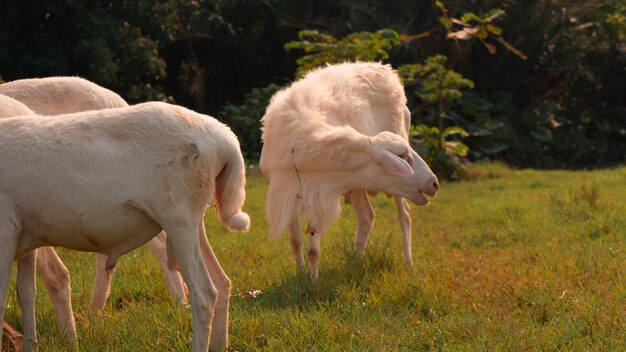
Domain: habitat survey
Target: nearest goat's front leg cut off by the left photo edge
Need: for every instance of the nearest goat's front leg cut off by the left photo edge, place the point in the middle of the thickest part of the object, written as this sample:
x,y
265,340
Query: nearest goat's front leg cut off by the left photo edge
x,y
10,227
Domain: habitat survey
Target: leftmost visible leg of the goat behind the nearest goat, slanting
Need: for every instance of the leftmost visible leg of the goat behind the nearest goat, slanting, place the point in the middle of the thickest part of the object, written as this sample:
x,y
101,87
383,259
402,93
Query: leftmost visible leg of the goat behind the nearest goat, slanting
x,y
56,278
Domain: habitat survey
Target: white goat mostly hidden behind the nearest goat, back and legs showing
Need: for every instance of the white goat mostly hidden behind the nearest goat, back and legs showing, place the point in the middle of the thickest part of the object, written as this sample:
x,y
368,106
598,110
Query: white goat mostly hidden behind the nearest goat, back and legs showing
x,y
64,95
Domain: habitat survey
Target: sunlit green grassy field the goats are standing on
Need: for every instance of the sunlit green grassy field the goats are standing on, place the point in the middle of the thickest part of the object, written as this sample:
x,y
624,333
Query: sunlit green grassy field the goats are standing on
x,y
513,261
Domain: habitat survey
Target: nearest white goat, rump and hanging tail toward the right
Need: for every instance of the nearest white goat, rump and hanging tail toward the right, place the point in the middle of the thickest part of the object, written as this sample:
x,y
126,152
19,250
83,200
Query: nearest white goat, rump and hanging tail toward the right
x,y
108,181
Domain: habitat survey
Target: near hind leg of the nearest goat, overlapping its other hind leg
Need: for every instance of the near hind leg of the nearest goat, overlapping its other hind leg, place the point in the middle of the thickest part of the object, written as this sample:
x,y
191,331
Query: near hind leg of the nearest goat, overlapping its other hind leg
x,y
183,237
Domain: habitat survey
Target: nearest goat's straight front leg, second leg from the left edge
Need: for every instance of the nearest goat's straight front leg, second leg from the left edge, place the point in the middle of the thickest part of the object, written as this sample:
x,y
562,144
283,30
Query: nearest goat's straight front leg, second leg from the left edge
x,y
26,298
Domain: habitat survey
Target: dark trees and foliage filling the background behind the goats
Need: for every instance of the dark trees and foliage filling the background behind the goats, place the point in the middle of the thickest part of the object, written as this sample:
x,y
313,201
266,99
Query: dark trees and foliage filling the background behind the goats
x,y
565,105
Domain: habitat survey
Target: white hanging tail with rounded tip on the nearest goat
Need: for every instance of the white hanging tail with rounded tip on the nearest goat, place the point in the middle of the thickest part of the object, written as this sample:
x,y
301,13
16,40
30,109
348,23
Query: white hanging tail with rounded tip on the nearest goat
x,y
230,194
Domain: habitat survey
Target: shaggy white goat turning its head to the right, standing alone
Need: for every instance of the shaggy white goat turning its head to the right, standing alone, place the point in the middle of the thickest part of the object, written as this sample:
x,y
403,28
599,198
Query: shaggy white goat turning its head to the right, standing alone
x,y
342,129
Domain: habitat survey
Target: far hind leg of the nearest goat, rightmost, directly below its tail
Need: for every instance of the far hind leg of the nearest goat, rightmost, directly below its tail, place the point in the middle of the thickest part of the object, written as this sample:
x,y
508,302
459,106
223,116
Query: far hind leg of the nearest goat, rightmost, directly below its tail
x,y
219,325
